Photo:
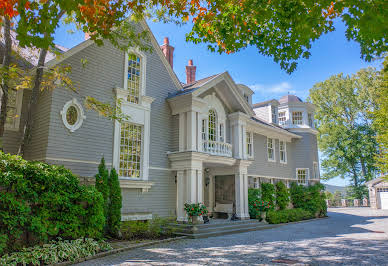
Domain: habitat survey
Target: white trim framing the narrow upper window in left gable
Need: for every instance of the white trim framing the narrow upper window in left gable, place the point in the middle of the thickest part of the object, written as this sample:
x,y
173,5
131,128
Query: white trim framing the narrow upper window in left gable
x,y
143,67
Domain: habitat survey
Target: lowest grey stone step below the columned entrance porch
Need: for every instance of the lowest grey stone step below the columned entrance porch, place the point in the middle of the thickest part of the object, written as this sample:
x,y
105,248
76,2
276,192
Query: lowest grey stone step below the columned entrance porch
x,y
227,230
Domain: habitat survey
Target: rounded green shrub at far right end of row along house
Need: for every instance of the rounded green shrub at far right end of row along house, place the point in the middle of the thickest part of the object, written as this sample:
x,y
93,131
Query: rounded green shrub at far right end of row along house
x,y
310,198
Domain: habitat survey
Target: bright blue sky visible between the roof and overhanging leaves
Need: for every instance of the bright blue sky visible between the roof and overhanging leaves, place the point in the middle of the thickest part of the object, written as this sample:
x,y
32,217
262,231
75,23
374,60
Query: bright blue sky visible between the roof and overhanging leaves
x,y
330,55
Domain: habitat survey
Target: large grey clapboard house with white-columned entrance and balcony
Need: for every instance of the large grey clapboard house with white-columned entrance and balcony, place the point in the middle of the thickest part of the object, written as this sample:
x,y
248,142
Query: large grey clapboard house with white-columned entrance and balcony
x,y
199,141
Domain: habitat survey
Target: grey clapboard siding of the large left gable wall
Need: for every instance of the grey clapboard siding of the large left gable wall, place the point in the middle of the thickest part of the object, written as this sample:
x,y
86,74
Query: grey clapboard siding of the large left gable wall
x,y
103,72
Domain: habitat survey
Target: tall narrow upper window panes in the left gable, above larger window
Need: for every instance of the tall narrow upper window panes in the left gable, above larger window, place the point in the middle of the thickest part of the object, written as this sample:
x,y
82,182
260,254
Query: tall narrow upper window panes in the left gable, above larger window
x,y
134,77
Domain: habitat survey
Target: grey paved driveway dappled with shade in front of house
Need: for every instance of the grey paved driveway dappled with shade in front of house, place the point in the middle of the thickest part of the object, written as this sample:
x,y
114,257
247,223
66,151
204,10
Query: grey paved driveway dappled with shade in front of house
x,y
353,236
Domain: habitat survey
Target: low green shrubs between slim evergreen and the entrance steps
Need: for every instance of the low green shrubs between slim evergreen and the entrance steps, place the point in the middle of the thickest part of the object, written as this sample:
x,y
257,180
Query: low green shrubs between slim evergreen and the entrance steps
x,y
154,229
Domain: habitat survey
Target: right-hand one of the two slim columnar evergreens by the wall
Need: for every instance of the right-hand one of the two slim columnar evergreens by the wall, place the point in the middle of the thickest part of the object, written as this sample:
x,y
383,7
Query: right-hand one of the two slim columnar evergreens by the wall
x,y
115,204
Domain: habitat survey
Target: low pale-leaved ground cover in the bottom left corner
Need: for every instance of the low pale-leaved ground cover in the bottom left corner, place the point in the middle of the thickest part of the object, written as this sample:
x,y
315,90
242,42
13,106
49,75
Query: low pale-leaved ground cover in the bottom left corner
x,y
56,252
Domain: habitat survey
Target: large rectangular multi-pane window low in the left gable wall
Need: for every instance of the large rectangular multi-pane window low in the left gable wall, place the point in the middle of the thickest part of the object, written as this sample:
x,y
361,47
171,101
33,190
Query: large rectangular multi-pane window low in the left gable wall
x,y
130,150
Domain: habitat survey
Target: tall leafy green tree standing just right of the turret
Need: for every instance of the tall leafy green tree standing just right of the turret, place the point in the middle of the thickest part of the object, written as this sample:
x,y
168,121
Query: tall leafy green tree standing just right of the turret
x,y
346,137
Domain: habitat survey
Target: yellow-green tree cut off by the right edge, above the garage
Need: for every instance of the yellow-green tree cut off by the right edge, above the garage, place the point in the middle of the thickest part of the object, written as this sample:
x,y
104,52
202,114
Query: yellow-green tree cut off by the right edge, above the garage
x,y
380,121
